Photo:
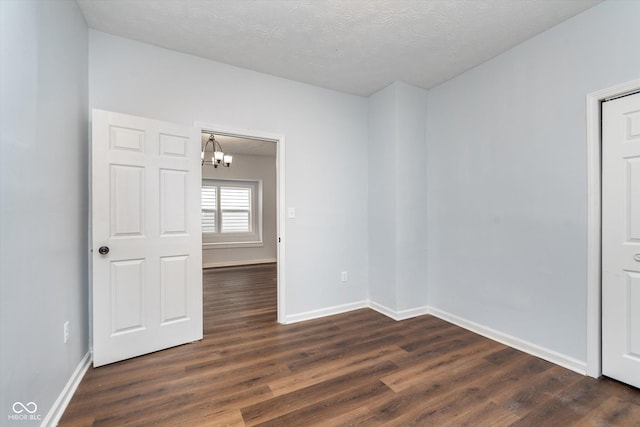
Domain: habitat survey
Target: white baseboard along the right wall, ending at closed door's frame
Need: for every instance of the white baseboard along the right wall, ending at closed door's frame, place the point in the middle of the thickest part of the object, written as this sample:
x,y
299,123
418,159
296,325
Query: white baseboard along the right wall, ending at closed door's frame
x,y
517,343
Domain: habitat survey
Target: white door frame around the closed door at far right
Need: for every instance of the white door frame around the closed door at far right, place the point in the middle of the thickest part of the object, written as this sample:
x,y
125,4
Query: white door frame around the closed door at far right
x,y
594,233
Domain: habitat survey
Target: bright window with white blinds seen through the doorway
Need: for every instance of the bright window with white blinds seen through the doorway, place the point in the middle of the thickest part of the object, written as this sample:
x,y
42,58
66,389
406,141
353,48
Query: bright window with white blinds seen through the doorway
x,y
231,212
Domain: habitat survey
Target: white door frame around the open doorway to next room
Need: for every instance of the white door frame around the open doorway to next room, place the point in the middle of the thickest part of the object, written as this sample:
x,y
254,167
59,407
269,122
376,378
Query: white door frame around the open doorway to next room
x,y
280,196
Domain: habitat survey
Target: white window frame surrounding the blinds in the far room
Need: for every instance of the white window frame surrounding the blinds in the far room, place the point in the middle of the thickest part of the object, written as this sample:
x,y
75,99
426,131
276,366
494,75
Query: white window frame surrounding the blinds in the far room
x,y
219,239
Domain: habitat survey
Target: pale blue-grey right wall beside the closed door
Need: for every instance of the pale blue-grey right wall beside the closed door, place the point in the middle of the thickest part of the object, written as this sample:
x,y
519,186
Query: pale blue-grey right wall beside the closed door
x,y
507,182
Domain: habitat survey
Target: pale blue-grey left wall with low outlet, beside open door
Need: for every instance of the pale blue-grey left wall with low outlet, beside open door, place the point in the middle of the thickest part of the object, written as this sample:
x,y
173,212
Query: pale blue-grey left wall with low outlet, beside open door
x,y
43,204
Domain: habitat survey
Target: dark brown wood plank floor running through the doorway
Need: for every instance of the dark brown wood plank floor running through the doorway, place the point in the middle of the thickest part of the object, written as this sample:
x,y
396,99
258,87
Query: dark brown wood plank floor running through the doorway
x,y
359,368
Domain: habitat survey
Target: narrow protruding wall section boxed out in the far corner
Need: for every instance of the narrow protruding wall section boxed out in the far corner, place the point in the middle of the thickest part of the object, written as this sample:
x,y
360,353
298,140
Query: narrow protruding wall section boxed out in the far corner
x,y
397,198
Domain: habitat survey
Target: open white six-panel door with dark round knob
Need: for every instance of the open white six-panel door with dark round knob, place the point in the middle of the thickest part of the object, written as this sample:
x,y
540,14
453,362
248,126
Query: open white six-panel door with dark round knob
x,y
147,290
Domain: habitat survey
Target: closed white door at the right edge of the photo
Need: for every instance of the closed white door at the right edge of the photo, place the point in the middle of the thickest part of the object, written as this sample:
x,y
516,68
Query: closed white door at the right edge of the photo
x,y
621,239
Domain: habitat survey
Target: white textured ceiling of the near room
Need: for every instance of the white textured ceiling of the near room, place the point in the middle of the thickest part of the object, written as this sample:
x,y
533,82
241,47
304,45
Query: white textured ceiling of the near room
x,y
353,46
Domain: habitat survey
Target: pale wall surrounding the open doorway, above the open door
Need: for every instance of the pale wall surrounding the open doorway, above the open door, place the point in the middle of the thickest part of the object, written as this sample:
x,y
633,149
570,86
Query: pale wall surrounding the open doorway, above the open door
x,y
328,191
